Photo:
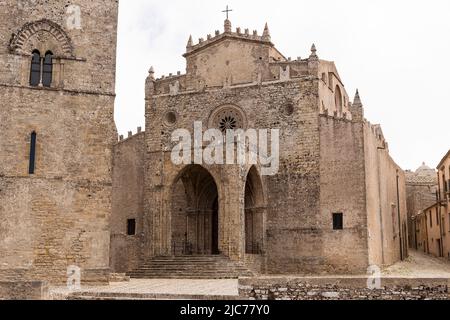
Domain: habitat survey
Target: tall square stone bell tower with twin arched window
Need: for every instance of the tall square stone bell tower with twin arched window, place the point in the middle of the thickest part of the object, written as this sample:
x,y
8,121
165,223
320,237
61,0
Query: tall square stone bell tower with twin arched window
x,y
57,83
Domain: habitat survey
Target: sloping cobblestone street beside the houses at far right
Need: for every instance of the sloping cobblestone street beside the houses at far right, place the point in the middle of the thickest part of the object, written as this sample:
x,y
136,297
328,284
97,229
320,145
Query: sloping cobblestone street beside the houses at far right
x,y
420,265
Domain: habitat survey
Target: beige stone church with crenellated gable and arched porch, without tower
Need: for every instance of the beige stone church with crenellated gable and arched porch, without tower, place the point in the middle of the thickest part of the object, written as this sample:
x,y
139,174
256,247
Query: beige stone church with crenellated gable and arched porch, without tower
x,y
337,204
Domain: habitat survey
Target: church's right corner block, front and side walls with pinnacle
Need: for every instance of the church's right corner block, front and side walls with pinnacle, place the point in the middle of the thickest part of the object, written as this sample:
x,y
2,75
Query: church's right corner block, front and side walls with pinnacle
x,y
360,180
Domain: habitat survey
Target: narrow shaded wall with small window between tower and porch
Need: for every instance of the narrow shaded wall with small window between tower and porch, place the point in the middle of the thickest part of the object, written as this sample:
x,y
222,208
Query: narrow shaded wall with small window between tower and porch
x,y
127,202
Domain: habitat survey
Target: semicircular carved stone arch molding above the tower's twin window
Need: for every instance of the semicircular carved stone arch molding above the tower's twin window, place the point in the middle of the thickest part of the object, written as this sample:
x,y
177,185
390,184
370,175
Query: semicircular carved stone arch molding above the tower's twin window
x,y
62,43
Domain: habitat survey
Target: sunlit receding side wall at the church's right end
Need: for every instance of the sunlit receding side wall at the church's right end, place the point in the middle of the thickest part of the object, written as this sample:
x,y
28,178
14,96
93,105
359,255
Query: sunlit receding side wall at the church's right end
x,y
386,200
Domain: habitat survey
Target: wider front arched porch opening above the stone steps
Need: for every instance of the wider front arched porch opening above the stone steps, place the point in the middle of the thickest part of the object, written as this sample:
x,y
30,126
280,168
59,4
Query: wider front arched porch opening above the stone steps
x,y
195,213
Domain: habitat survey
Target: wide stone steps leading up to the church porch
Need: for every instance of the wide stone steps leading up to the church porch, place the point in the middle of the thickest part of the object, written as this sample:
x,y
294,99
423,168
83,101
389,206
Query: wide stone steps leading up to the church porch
x,y
191,267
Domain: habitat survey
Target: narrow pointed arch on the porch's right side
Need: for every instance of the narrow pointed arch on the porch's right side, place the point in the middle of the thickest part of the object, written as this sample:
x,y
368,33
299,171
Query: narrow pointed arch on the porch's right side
x,y
254,214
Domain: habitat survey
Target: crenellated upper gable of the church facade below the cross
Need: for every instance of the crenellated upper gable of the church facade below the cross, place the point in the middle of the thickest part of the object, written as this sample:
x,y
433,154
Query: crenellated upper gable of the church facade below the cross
x,y
266,66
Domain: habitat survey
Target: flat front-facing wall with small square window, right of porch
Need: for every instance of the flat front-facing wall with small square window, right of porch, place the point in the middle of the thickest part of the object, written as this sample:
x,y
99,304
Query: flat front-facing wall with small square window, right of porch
x,y
342,190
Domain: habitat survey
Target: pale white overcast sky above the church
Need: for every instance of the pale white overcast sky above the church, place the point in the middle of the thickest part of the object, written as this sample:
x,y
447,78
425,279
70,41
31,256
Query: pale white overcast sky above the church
x,y
396,52
